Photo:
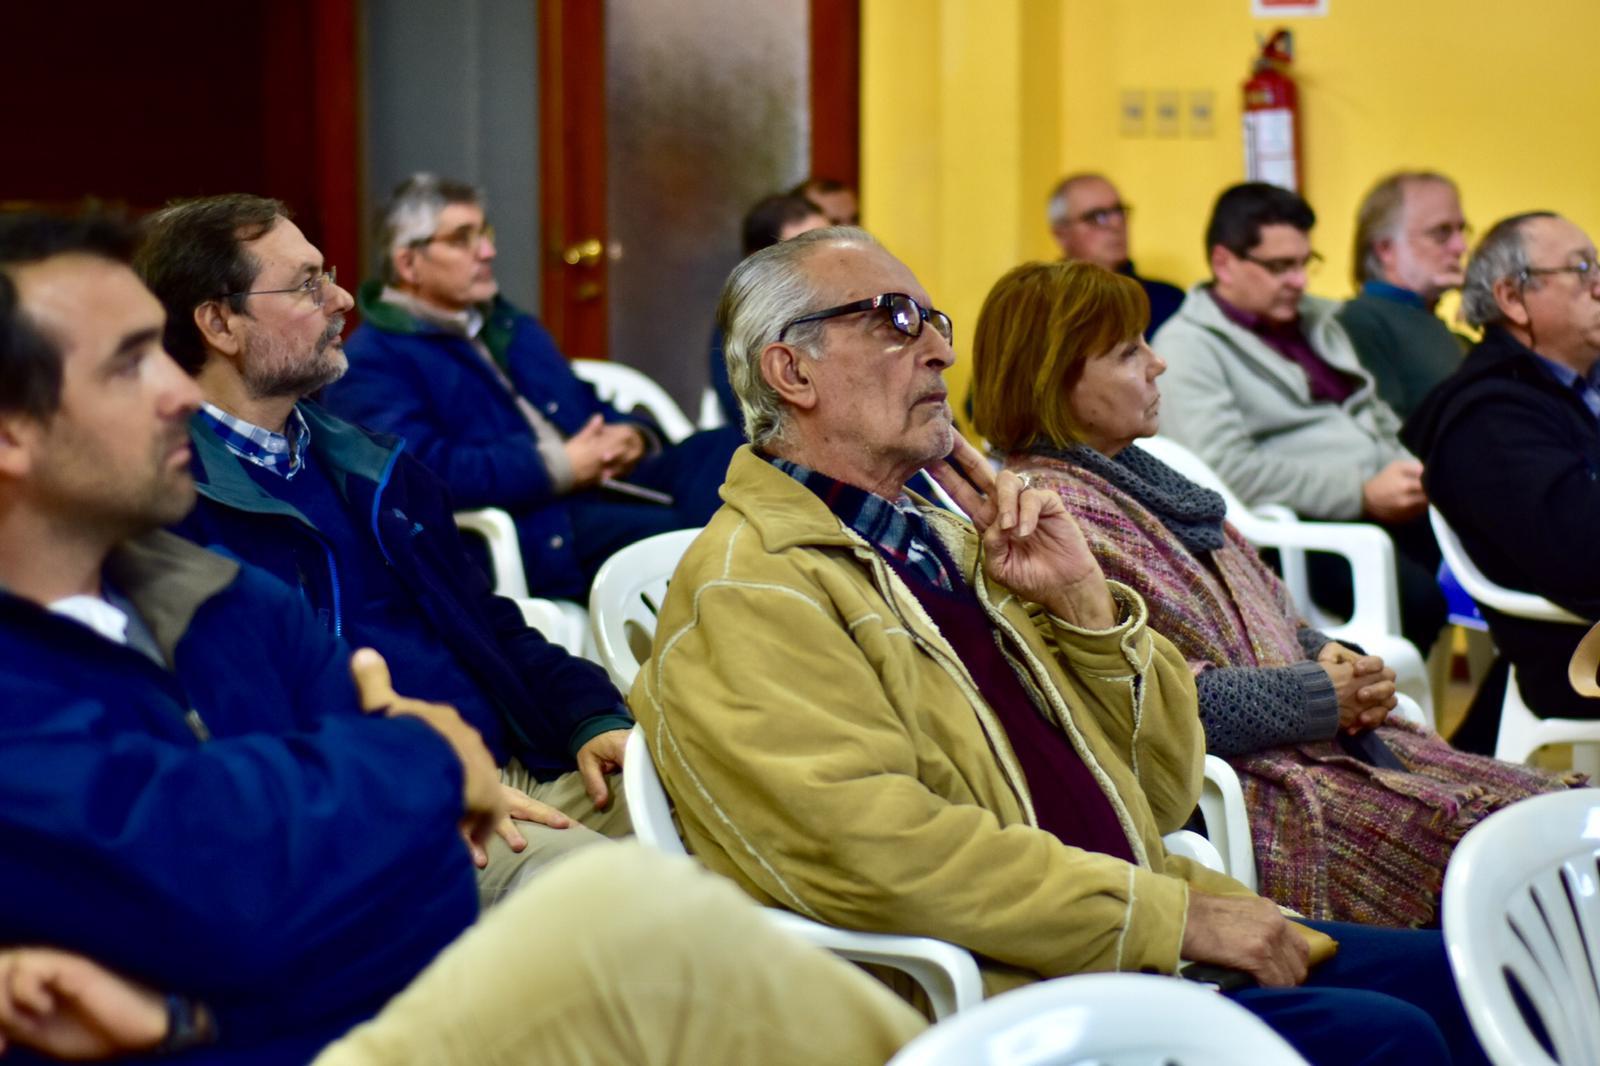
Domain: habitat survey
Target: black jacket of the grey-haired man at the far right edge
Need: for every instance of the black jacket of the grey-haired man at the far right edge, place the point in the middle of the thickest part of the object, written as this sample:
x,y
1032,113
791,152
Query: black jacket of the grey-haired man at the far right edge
x,y
1513,462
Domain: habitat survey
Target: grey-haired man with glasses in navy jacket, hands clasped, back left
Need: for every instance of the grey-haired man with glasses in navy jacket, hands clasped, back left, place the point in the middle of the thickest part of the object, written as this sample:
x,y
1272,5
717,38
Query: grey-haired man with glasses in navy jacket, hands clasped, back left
x,y
481,395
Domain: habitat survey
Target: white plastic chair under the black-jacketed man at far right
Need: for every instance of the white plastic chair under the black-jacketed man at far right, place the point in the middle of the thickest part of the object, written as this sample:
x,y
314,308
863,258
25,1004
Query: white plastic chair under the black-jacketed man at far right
x,y
1522,732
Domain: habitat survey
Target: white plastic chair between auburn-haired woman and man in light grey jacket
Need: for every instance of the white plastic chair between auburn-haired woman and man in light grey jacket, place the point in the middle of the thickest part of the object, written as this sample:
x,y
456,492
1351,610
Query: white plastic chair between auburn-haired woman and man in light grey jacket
x,y
1375,620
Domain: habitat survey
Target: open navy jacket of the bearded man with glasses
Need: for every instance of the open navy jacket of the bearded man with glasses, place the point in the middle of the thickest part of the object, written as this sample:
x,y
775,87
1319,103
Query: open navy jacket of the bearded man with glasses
x,y
550,703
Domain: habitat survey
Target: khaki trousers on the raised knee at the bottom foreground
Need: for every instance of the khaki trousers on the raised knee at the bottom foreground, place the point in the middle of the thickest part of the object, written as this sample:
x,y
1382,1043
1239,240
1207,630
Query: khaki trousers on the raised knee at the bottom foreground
x,y
623,956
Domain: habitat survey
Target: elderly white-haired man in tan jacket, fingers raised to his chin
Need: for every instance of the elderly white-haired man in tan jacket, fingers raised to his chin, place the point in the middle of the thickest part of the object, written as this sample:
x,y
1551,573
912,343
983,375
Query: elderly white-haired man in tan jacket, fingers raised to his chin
x,y
951,732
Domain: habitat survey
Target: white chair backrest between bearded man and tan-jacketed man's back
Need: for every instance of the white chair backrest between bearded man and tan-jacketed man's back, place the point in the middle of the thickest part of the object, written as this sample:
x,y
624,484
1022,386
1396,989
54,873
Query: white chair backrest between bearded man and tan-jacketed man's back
x,y
626,598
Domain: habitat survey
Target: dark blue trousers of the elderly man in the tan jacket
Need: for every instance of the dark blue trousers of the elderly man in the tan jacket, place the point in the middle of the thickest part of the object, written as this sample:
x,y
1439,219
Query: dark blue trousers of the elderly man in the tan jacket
x,y
1386,998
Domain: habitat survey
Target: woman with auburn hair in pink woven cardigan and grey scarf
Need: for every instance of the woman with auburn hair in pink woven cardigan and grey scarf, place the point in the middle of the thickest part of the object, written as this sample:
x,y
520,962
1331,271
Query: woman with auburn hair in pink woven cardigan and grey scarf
x,y
1354,814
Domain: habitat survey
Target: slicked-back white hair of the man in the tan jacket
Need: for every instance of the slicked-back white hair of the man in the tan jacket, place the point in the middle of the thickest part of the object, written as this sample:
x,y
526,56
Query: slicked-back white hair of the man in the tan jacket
x,y
764,294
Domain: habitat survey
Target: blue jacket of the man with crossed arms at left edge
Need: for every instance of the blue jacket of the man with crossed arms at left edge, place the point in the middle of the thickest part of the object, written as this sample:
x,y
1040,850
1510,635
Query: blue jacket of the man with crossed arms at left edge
x,y
295,870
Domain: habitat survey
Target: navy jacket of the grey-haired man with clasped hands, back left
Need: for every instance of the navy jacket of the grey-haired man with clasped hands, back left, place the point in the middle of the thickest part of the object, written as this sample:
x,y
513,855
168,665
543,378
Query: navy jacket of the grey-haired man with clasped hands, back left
x,y
433,390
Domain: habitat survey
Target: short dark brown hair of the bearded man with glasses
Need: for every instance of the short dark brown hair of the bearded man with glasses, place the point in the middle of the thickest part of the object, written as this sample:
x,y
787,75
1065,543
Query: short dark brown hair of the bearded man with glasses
x,y
193,252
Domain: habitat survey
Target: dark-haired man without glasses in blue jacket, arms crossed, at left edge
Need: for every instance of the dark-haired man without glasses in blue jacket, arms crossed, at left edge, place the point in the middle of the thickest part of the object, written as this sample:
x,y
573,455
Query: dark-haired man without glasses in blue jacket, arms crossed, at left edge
x,y
188,788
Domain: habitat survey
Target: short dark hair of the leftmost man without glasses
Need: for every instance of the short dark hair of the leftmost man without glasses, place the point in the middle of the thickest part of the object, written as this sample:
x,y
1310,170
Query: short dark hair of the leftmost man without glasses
x,y
31,359
